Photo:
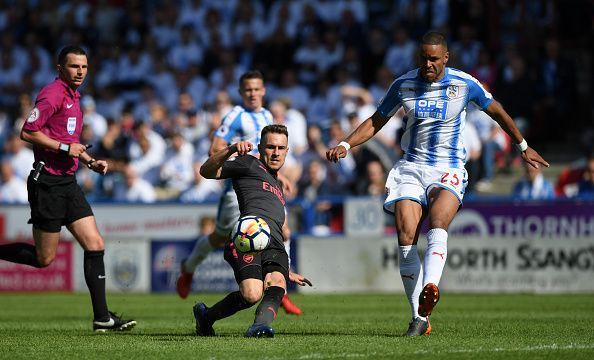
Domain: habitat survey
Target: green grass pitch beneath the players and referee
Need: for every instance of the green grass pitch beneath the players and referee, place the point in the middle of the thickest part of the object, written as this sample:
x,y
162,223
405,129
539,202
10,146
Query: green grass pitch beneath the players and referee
x,y
58,326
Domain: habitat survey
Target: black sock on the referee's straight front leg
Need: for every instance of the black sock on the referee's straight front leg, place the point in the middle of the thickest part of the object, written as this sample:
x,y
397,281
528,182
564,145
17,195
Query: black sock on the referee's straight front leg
x,y
95,279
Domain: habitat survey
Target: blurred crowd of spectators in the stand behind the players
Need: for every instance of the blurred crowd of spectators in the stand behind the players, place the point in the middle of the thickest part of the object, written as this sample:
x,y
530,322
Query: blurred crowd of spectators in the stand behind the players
x,y
164,73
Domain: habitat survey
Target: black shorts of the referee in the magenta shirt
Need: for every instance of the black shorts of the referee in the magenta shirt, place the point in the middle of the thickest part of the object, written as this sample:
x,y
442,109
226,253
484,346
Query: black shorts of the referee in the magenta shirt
x,y
56,201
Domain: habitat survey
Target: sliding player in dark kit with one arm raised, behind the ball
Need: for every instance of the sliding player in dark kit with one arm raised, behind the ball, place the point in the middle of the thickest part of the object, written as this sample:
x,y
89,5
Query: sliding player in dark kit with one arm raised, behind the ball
x,y
264,275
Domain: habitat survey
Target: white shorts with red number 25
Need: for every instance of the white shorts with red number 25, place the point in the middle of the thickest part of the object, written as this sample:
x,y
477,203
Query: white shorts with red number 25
x,y
411,181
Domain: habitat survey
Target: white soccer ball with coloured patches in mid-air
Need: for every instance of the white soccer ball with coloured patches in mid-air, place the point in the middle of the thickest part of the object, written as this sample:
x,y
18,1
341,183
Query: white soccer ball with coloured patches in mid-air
x,y
251,234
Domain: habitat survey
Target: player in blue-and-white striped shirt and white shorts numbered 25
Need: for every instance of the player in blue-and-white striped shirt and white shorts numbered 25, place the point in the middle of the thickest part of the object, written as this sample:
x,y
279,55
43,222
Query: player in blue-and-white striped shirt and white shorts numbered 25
x,y
429,181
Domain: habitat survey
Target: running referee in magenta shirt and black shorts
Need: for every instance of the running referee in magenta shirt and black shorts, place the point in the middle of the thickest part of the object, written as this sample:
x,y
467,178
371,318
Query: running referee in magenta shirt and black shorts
x,y
54,127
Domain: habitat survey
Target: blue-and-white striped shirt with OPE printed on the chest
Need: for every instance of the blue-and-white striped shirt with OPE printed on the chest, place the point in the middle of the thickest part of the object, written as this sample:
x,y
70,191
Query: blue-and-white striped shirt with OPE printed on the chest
x,y
436,115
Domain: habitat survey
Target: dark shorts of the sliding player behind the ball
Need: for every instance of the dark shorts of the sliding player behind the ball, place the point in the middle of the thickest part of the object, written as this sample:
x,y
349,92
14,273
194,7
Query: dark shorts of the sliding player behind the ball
x,y
256,266
